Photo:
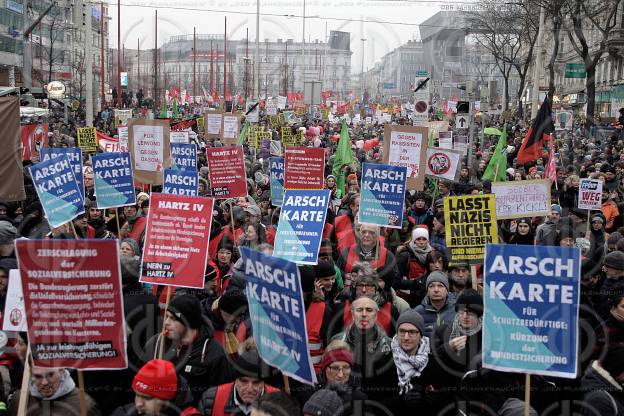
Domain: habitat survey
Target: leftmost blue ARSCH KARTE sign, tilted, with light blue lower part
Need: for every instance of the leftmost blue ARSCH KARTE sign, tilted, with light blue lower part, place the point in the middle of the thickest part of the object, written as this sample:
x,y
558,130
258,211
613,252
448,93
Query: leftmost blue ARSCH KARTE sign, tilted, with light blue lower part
x,y
58,190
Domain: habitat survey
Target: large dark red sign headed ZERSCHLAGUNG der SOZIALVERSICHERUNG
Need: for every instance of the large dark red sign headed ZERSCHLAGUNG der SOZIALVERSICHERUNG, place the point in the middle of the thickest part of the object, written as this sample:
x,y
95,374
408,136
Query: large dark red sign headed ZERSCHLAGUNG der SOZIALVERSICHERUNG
x,y
72,293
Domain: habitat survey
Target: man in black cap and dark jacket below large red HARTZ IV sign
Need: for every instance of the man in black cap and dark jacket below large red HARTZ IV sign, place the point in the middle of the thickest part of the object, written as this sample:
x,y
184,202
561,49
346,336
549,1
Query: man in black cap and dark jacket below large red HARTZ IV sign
x,y
190,346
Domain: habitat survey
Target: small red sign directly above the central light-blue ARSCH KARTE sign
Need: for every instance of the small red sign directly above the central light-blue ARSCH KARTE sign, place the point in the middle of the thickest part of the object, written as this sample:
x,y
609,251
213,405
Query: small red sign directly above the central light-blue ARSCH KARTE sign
x,y
304,168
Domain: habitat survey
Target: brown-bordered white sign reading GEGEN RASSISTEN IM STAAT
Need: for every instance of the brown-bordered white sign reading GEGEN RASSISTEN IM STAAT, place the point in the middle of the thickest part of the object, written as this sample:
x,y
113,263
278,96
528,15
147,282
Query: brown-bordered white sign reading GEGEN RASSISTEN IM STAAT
x,y
407,146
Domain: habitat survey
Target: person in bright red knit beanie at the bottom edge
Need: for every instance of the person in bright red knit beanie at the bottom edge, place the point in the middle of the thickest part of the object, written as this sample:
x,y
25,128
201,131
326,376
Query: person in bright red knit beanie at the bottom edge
x,y
158,391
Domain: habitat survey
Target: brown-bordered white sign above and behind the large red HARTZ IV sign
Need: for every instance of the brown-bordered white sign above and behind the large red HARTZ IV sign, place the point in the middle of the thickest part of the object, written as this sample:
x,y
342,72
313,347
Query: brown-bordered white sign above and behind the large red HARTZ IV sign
x,y
148,142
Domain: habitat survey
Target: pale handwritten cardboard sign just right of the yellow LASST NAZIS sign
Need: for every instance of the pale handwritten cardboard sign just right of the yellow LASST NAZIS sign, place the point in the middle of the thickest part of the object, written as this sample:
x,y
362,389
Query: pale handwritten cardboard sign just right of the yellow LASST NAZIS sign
x,y
520,199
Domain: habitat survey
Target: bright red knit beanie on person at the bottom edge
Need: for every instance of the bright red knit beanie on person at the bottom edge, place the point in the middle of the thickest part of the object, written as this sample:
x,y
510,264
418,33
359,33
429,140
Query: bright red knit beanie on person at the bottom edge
x,y
157,379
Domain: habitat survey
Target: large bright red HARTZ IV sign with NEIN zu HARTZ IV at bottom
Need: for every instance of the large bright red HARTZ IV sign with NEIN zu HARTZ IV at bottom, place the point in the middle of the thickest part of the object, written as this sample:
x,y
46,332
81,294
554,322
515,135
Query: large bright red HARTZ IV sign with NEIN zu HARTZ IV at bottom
x,y
176,240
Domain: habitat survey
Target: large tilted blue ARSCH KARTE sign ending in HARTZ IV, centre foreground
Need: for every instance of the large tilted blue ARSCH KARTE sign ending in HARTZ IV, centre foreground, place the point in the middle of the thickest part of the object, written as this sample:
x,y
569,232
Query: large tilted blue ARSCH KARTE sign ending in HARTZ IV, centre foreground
x,y
277,314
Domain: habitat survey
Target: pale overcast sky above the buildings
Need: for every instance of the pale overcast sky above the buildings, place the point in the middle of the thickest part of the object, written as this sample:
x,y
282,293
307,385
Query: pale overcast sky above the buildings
x,y
386,24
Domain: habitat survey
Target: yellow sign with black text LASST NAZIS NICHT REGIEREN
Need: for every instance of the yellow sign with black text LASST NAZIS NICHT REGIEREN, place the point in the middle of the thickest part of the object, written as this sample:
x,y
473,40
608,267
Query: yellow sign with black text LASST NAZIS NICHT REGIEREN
x,y
470,224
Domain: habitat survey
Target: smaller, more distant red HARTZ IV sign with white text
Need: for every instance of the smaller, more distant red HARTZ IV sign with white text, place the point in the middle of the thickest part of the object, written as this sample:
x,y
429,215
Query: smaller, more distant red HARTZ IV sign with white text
x,y
227,172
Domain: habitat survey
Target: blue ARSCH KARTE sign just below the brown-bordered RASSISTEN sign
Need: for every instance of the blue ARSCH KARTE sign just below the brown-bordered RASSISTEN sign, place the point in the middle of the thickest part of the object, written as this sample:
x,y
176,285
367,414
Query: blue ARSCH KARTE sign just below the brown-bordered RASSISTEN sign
x,y
382,195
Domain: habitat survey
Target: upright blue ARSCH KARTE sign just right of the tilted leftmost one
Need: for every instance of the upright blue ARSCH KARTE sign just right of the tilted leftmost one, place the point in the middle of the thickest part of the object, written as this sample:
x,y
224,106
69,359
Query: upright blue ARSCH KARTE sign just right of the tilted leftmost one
x,y
113,180
